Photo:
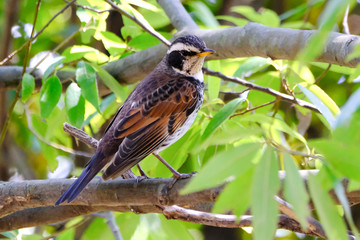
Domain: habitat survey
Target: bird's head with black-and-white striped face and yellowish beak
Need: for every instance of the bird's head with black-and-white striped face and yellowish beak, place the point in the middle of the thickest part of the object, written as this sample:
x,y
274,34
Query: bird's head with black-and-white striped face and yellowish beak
x,y
186,55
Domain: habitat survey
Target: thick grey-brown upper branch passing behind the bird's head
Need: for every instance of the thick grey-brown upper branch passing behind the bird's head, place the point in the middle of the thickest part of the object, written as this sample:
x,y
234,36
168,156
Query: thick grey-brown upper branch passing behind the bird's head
x,y
251,40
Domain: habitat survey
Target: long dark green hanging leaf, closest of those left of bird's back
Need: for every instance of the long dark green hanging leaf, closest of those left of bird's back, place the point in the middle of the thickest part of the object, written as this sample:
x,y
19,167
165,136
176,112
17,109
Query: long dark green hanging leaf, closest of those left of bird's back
x,y
86,78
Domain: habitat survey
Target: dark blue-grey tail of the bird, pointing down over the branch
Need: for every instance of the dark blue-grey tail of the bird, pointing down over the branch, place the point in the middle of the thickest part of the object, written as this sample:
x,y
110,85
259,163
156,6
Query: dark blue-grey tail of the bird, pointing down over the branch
x,y
95,165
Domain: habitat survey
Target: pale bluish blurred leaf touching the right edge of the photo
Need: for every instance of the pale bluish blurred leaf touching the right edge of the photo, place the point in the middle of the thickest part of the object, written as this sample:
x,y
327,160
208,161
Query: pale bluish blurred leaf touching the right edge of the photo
x,y
347,111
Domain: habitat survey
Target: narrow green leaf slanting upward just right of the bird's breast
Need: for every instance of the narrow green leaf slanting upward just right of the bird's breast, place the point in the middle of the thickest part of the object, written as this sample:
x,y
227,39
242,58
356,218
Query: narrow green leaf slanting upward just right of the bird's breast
x,y
221,116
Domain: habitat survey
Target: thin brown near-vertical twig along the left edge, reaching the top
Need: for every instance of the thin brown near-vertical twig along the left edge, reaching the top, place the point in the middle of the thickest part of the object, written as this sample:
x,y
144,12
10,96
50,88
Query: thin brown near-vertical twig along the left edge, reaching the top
x,y
17,94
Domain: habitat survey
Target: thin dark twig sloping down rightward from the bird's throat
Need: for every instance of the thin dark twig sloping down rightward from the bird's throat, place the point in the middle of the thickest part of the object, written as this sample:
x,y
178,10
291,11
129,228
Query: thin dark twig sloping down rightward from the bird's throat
x,y
267,90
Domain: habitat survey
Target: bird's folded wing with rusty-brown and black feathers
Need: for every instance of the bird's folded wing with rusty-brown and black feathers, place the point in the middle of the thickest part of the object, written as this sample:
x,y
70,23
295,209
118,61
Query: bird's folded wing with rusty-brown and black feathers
x,y
151,121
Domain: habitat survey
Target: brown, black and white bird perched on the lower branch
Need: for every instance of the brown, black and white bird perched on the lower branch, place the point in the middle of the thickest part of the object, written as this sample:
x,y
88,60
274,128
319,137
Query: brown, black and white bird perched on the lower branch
x,y
158,112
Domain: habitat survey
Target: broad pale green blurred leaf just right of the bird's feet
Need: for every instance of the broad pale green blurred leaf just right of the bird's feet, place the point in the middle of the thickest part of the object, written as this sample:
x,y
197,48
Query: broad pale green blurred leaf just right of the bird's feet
x,y
224,165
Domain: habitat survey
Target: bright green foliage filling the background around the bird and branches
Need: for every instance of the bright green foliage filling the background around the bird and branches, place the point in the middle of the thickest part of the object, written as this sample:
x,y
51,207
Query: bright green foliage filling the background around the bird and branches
x,y
228,143
